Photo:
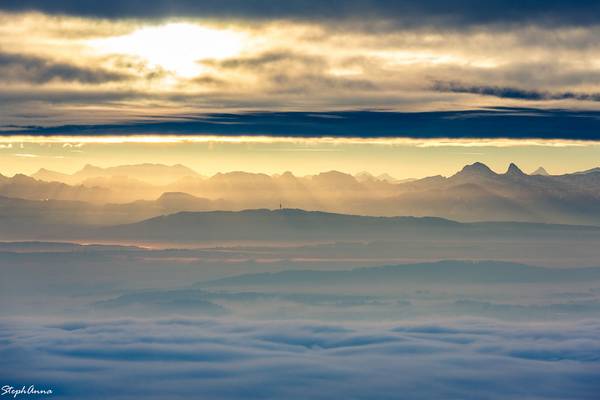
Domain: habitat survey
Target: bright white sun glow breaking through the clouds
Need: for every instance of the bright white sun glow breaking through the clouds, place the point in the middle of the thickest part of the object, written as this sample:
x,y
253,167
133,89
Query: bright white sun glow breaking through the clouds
x,y
175,47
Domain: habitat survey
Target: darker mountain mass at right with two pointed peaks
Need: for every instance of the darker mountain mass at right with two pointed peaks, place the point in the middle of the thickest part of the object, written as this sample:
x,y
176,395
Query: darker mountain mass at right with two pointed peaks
x,y
478,193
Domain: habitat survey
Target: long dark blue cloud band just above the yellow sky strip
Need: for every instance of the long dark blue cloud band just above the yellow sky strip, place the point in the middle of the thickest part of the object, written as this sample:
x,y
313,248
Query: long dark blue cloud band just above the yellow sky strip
x,y
514,123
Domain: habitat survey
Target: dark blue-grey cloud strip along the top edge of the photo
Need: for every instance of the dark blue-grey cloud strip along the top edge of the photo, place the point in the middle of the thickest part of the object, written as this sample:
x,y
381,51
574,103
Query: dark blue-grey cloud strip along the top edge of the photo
x,y
401,13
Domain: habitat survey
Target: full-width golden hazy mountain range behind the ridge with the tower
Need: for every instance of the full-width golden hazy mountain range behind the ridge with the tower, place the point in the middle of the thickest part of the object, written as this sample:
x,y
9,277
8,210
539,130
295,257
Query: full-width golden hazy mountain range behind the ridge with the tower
x,y
126,194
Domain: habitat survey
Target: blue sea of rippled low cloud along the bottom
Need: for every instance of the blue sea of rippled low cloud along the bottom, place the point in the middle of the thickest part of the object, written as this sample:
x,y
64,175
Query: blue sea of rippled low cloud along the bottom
x,y
182,358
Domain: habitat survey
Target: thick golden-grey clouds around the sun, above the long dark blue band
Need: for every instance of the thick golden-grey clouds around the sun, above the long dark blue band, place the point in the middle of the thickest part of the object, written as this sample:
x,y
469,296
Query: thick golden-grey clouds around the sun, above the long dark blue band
x,y
316,57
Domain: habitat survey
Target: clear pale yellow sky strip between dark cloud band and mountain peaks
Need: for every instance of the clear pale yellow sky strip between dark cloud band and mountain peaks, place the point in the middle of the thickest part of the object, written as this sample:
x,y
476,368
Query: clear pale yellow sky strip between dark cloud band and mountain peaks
x,y
400,158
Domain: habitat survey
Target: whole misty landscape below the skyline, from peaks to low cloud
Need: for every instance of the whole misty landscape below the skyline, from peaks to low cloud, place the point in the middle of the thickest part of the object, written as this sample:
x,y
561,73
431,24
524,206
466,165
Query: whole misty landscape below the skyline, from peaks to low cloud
x,y
138,270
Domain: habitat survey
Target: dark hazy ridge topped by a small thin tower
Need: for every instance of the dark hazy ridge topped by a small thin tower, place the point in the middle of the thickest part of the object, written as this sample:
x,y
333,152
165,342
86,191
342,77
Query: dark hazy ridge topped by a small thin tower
x,y
294,225
